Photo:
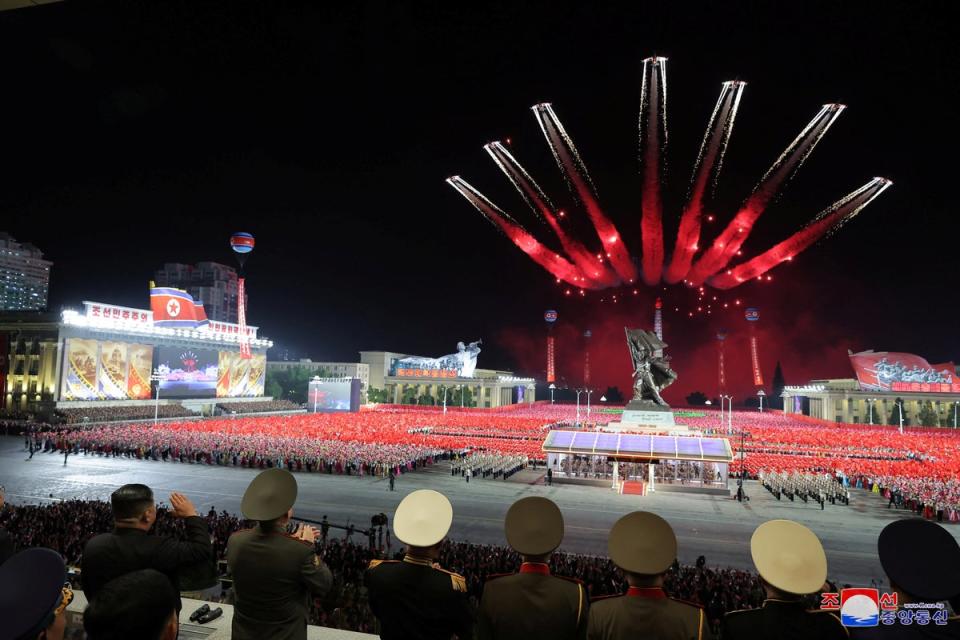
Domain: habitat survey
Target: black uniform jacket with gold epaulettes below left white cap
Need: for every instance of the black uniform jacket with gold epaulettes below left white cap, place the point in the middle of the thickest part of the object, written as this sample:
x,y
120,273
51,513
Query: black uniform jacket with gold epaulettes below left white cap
x,y
412,601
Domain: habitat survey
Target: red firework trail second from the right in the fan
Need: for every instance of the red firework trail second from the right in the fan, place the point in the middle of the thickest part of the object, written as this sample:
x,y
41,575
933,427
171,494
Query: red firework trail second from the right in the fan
x,y
727,244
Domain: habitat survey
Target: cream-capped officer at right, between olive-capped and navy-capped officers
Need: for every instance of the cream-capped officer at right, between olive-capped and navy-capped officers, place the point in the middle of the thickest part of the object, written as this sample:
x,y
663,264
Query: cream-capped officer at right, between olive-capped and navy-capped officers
x,y
792,564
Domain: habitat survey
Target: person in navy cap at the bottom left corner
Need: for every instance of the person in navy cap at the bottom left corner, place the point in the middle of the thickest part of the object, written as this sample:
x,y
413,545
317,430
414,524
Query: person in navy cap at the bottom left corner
x,y
34,594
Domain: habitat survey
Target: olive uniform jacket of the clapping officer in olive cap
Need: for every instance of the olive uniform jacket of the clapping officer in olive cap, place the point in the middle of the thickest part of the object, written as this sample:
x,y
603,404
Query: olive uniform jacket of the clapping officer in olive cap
x,y
273,574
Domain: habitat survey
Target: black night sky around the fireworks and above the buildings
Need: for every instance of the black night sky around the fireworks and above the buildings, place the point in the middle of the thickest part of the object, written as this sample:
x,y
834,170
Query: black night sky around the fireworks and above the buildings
x,y
137,133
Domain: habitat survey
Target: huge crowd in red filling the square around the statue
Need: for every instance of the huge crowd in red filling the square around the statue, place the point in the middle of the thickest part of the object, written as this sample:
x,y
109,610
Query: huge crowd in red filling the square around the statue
x,y
920,464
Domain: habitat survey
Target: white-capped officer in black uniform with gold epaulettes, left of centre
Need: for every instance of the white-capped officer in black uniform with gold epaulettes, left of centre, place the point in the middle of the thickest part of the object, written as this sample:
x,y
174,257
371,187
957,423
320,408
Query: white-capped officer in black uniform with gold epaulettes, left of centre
x,y
415,598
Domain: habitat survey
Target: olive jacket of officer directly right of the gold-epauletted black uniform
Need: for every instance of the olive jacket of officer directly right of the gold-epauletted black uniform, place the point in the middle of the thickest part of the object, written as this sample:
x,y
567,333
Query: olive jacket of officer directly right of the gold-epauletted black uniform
x,y
532,605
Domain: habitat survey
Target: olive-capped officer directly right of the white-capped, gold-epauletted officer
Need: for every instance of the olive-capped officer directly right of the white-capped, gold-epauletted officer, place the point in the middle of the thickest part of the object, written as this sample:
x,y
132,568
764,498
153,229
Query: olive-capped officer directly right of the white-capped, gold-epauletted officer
x,y
533,603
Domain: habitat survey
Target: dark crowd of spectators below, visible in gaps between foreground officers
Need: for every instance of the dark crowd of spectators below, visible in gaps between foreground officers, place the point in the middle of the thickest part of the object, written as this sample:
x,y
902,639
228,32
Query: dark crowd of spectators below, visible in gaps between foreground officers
x,y
67,526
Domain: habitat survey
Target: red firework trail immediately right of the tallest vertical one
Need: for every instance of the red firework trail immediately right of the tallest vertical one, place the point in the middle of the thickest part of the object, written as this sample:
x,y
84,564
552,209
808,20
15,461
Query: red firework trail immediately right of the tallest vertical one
x,y
706,171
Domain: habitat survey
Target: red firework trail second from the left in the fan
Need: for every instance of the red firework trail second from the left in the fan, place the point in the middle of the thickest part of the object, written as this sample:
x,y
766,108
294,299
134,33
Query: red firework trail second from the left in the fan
x,y
596,273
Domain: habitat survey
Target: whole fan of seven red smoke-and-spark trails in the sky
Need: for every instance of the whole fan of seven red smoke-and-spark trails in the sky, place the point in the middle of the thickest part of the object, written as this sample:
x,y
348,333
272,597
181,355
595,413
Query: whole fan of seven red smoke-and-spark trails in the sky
x,y
576,264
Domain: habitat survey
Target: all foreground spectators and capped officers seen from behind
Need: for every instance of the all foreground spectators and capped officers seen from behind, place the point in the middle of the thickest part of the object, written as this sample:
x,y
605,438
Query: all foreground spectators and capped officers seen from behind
x,y
482,591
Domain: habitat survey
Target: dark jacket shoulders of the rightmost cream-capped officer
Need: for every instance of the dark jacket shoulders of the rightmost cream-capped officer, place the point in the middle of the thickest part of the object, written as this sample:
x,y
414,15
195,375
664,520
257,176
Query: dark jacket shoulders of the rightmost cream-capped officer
x,y
782,620
